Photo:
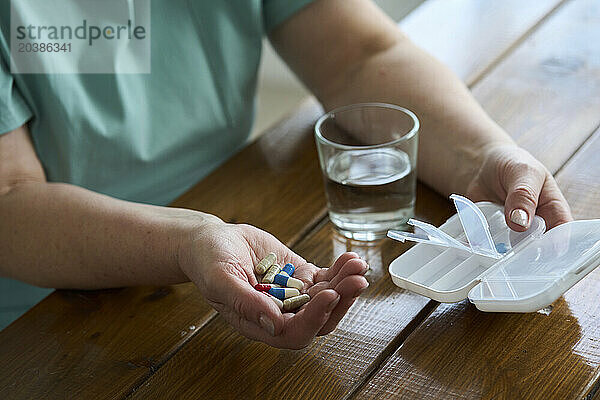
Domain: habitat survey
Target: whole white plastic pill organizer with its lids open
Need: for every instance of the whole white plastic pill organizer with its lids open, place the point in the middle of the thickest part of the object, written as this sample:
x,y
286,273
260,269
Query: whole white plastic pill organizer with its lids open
x,y
475,255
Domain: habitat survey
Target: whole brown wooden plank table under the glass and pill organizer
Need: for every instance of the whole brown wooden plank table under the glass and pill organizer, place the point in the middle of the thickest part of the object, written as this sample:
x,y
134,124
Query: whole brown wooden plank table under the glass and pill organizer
x,y
535,67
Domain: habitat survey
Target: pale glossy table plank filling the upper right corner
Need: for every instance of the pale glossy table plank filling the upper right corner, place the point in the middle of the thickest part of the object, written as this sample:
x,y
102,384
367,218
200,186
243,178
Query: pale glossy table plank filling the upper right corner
x,y
548,87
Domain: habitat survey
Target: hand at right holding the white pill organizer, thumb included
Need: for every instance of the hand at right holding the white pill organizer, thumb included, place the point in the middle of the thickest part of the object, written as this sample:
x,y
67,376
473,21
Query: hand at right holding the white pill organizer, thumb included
x,y
512,176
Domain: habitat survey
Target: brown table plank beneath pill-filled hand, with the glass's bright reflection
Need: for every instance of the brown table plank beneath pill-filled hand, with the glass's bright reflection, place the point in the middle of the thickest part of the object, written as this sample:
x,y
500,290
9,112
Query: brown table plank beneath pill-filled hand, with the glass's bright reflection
x,y
329,368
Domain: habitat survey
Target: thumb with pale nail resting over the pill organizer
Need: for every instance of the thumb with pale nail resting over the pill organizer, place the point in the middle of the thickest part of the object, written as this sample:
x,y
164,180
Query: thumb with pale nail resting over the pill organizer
x,y
523,184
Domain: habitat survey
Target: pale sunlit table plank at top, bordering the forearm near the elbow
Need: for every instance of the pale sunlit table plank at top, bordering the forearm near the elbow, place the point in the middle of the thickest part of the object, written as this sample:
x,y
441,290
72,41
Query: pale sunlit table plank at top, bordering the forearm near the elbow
x,y
455,30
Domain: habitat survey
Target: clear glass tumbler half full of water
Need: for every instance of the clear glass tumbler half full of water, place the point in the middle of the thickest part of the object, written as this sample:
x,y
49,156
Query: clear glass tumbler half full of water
x,y
368,155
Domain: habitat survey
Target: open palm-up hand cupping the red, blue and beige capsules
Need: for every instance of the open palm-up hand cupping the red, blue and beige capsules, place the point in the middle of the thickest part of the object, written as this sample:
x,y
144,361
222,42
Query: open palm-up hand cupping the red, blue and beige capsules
x,y
220,259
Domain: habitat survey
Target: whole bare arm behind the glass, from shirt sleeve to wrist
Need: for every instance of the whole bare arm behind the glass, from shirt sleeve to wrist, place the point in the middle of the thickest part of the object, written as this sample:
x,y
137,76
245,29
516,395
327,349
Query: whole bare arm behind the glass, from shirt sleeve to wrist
x,y
354,53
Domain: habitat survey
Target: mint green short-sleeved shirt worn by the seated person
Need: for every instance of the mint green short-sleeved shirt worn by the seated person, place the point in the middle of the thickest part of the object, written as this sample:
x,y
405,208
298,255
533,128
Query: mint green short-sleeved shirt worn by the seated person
x,y
145,137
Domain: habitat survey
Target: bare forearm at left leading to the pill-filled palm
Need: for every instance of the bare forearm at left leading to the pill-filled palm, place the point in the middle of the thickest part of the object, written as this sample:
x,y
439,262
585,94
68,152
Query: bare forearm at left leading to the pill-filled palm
x,y
63,236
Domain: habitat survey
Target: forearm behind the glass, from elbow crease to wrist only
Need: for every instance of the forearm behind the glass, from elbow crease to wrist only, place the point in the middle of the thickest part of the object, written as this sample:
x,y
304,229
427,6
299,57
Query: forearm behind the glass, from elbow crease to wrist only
x,y
454,129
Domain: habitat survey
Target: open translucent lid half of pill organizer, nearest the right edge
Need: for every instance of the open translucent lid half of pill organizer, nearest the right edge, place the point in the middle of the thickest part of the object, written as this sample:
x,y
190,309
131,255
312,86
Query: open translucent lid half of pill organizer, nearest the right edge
x,y
539,273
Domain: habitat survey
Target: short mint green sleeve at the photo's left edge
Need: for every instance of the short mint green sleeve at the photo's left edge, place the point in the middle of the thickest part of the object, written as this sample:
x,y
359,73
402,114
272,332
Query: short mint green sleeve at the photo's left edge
x,y
14,111
